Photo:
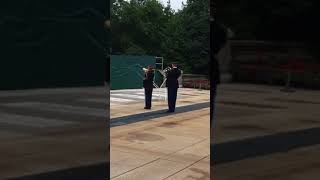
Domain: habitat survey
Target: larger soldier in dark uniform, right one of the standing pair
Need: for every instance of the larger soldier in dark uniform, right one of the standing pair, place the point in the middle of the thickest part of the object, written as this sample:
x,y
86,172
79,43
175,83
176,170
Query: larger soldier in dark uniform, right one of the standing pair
x,y
172,84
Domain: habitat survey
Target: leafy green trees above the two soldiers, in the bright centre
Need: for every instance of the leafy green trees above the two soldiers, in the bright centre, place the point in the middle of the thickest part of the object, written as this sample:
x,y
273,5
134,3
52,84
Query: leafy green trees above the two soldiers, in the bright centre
x,y
147,27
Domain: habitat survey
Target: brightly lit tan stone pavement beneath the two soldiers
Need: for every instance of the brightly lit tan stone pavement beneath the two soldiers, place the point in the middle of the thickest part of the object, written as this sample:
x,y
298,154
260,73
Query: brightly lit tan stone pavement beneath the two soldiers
x,y
160,145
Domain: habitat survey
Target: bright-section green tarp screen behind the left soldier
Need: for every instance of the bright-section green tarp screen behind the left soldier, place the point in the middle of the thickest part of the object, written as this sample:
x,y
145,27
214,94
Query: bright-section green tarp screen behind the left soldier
x,y
126,71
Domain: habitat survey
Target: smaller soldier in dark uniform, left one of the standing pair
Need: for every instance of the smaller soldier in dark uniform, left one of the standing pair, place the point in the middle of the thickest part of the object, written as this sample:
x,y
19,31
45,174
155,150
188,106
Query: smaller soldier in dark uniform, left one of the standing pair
x,y
148,86
